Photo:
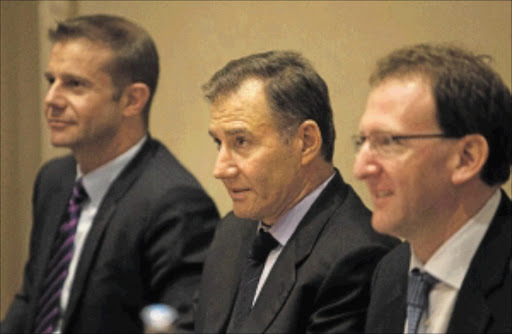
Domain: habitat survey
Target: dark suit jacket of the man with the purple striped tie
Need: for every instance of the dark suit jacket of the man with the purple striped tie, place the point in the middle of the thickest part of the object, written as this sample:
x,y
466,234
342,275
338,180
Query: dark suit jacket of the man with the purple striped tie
x,y
147,244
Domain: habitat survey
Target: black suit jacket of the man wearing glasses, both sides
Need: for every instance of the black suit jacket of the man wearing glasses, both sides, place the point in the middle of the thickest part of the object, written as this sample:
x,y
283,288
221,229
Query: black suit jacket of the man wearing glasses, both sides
x,y
484,301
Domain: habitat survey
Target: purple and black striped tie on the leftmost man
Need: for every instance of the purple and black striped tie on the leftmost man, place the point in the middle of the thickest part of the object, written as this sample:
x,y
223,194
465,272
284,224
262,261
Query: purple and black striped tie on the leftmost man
x,y
48,311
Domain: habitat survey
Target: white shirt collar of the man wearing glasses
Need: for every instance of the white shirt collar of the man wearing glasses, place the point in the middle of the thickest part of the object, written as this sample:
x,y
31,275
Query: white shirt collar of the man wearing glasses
x,y
451,261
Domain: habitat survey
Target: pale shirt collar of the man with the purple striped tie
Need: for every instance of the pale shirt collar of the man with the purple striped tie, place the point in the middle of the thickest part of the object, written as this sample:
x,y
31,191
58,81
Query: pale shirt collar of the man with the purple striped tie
x,y
98,181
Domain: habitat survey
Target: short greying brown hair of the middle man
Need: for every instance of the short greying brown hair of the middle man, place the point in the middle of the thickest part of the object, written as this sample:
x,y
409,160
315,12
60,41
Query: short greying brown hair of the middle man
x,y
294,90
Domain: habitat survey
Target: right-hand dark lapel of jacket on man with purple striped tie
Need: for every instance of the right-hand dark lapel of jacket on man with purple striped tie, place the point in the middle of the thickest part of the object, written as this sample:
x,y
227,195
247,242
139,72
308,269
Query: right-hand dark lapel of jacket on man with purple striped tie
x,y
102,219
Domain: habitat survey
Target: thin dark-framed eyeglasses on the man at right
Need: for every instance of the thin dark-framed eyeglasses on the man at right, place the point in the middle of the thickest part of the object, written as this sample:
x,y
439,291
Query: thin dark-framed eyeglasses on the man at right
x,y
387,144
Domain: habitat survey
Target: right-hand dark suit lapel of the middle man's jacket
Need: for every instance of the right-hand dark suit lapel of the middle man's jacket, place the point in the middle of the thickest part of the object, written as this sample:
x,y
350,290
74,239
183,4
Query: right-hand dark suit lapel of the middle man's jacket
x,y
282,277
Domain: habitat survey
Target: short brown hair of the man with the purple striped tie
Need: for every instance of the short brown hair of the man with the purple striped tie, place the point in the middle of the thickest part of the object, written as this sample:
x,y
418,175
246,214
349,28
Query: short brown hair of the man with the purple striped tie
x,y
135,56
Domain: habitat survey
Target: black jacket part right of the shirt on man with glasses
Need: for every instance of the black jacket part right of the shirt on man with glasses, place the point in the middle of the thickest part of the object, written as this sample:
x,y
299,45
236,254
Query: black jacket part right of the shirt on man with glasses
x,y
484,303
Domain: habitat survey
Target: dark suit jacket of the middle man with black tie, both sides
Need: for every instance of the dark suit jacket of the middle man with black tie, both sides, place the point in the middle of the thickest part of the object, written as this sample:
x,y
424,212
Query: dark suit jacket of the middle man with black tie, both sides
x,y
319,283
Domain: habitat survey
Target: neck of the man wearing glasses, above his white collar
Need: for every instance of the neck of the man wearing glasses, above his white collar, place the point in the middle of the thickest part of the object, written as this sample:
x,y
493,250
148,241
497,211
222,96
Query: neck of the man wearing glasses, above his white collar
x,y
469,202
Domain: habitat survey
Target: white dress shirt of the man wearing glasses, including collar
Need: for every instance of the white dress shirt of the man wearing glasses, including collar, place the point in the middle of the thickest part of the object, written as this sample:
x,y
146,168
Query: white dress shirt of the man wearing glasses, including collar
x,y
449,265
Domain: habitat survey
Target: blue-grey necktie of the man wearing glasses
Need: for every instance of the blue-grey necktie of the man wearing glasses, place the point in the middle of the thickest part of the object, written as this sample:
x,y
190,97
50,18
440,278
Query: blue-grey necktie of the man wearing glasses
x,y
418,290
